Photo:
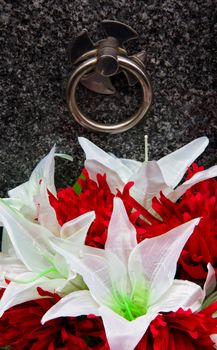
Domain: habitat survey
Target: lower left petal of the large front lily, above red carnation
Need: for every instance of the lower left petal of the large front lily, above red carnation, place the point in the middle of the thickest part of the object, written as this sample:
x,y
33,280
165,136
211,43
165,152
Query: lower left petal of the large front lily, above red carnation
x,y
72,305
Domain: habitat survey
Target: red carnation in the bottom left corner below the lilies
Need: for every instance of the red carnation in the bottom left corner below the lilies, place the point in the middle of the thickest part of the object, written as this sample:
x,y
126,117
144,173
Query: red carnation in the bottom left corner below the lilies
x,y
20,327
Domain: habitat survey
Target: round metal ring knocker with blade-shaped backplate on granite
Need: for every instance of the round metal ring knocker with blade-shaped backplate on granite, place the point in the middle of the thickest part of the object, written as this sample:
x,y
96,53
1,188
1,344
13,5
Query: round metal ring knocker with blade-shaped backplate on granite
x,y
96,63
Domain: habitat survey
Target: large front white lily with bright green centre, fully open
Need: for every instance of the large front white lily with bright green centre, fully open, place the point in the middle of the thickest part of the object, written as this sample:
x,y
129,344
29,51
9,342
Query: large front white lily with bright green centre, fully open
x,y
129,283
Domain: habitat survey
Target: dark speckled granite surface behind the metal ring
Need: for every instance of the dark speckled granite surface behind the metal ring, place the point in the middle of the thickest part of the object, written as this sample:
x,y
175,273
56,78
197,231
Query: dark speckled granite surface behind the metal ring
x,y
180,40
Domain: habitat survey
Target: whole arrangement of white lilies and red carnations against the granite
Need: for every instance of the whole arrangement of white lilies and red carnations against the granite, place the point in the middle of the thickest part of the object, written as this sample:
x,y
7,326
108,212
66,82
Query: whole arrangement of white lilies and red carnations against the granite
x,y
124,259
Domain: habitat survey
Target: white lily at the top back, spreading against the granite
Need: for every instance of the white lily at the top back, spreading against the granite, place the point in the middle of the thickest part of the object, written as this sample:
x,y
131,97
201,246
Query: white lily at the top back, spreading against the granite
x,y
149,177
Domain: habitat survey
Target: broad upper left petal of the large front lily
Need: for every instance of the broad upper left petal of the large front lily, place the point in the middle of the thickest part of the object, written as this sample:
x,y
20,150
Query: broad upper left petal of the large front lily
x,y
101,270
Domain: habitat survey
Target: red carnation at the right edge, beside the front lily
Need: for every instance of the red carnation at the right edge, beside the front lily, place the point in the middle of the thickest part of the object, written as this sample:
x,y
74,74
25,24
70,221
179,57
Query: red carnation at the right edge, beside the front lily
x,y
199,201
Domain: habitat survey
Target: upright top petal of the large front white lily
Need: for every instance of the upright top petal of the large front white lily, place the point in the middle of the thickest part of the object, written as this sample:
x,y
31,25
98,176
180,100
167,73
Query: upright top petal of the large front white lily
x,y
121,237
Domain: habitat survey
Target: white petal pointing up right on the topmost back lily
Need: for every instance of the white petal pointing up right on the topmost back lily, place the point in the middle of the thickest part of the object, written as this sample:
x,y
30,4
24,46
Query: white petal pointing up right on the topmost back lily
x,y
174,165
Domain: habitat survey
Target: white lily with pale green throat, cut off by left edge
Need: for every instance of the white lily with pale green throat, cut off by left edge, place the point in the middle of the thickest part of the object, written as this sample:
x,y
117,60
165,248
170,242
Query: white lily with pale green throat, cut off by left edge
x,y
34,262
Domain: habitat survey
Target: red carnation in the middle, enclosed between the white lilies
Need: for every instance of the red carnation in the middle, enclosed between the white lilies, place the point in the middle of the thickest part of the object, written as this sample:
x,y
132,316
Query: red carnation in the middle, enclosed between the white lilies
x,y
93,196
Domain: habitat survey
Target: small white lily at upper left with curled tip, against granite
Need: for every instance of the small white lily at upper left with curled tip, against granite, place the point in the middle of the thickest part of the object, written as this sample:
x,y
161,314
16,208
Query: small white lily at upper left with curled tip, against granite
x,y
31,198
